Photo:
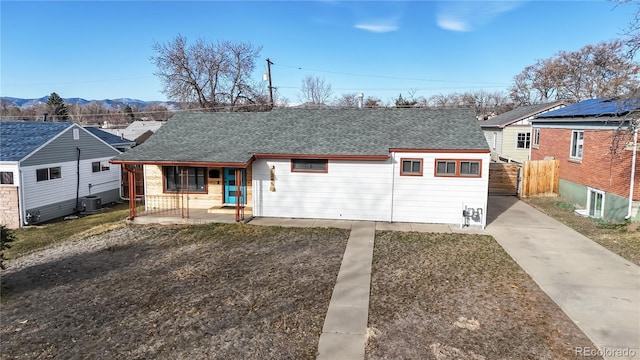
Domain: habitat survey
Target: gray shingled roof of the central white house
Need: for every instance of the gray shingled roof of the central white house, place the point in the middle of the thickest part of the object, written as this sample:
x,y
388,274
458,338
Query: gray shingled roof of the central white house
x,y
235,137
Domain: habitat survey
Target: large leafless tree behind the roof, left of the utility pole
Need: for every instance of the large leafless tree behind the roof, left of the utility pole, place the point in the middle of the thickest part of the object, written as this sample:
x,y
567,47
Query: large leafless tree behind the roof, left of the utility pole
x,y
213,75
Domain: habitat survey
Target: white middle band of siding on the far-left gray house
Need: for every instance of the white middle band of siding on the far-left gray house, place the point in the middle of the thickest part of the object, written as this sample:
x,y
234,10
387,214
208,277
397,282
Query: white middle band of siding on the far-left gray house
x,y
39,193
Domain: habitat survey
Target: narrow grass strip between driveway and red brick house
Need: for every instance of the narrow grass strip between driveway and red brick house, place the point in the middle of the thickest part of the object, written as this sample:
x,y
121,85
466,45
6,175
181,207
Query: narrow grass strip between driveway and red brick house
x,y
615,237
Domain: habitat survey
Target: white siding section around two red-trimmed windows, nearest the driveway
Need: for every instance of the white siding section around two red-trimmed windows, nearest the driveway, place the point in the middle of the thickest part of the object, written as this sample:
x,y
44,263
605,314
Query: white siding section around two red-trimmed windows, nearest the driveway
x,y
431,199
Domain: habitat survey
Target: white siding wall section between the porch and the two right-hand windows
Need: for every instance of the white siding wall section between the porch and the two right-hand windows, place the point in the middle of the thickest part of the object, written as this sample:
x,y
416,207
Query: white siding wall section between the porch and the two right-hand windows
x,y
352,190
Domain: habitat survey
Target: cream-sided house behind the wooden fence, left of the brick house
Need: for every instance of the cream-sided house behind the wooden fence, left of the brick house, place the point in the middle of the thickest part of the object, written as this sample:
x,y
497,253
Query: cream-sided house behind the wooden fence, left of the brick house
x,y
509,134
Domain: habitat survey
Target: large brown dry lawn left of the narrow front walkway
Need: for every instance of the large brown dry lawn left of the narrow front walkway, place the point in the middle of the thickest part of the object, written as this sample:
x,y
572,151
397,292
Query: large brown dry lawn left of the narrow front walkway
x,y
201,292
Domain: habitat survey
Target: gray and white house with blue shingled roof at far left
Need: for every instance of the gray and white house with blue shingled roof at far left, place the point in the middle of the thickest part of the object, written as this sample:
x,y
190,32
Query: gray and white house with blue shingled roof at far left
x,y
52,169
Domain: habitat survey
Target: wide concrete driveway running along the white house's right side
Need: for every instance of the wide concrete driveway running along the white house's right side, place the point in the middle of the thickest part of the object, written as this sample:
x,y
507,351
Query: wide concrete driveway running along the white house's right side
x,y
597,289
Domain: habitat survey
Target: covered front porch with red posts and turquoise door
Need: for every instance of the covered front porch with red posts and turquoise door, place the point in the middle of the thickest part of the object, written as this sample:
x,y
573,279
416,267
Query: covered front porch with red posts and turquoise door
x,y
188,194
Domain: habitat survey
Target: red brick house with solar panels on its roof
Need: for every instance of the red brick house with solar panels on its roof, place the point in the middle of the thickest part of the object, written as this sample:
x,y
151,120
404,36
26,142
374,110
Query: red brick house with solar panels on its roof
x,y
592,176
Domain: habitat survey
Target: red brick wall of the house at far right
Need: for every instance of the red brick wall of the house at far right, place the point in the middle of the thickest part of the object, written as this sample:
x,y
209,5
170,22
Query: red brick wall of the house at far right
x,y
596,170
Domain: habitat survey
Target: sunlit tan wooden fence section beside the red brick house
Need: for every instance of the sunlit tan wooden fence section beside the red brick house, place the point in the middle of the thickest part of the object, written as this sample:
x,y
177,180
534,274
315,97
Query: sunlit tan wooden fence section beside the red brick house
x,y
540,177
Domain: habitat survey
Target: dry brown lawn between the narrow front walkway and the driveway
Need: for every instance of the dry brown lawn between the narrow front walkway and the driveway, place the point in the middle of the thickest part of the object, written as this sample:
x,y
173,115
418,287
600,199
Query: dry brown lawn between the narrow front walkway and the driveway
x,y
460,296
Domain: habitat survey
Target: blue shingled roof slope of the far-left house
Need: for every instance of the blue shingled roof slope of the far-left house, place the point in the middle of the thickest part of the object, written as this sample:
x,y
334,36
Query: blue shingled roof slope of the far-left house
x,y
20,138
